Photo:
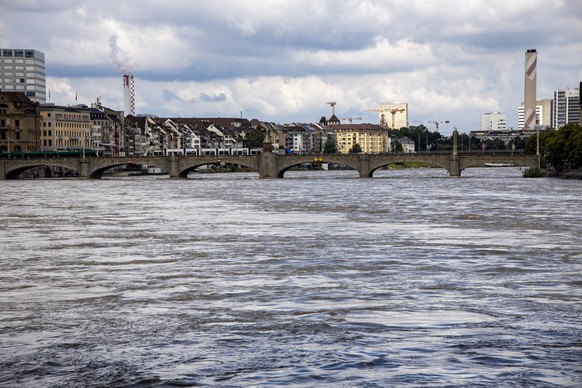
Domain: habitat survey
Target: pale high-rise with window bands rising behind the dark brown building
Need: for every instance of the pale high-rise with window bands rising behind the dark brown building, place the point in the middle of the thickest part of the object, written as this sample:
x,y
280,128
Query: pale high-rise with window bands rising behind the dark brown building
x,y
23,70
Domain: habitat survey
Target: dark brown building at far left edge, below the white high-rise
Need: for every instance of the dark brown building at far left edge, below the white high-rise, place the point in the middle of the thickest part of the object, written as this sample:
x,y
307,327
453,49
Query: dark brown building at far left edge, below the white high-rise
x,y
19,123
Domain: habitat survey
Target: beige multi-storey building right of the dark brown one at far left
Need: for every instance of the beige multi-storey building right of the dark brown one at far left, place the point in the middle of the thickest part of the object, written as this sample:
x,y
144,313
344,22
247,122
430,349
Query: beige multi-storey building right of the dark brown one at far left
x,y
65,128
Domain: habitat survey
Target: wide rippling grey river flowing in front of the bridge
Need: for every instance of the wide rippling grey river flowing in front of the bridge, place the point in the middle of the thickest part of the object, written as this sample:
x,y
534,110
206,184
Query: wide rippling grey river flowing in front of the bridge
x,y
411,278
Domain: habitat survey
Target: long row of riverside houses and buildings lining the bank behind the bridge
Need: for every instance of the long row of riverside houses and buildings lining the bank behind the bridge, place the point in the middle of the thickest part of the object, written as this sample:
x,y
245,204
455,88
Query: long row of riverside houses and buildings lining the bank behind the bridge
x,y
26,126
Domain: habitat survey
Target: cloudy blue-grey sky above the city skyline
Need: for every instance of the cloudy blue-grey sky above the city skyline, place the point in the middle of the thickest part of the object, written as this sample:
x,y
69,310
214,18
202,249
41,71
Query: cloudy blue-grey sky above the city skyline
x,y
281,61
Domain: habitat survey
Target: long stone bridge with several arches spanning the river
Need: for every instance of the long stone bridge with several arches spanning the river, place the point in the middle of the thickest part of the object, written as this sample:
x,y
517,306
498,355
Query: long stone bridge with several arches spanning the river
x,y
268,164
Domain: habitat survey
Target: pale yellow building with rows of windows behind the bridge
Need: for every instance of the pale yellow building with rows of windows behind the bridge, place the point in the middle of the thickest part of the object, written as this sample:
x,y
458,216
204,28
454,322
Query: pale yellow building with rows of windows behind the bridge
x,y
373,139
